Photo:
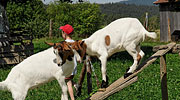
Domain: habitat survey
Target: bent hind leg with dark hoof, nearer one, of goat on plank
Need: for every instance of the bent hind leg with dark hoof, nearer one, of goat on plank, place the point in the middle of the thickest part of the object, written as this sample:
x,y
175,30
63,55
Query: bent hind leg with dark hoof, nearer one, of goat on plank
x,y
131,49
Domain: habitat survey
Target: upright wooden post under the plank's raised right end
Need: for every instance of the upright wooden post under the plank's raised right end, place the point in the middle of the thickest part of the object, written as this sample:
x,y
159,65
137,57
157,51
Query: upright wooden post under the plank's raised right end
x,y
163,73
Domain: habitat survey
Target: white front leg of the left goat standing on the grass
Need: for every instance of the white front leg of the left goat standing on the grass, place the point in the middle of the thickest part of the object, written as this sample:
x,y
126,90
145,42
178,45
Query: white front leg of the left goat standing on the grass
x,y
61,80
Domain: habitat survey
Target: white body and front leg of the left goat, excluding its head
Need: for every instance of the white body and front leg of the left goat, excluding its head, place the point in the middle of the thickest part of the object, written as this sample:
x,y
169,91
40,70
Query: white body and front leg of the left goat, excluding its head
x,y
35,70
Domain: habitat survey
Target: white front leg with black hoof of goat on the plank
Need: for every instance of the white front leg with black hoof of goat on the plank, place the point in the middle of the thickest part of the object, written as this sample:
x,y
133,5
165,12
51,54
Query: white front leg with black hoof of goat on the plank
x,y
103,60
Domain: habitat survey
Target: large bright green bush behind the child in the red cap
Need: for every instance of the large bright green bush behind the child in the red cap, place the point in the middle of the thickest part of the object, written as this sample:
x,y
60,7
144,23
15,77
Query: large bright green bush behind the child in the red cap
x,y
84,17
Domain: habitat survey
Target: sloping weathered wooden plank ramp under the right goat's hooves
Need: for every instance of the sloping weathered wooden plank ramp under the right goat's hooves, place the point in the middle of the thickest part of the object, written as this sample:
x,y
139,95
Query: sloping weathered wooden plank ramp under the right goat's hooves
x,y
122,83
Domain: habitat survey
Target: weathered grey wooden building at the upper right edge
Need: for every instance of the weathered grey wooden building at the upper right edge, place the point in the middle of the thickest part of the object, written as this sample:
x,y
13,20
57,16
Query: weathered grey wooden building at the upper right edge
x,y
169,20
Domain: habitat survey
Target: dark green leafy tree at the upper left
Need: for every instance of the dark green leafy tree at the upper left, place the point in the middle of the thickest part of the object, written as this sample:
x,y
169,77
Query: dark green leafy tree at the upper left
x,y
29,15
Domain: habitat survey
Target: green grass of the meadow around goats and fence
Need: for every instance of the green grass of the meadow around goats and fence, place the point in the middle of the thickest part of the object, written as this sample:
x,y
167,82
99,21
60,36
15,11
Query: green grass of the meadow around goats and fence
x,y
146,88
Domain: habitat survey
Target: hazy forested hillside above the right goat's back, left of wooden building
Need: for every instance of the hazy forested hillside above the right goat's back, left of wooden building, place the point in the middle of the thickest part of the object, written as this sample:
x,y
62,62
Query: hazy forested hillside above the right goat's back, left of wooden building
x,y
132,8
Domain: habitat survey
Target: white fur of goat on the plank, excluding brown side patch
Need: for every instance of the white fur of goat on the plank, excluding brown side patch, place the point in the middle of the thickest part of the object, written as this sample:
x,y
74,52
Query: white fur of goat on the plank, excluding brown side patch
x,y
125,34
